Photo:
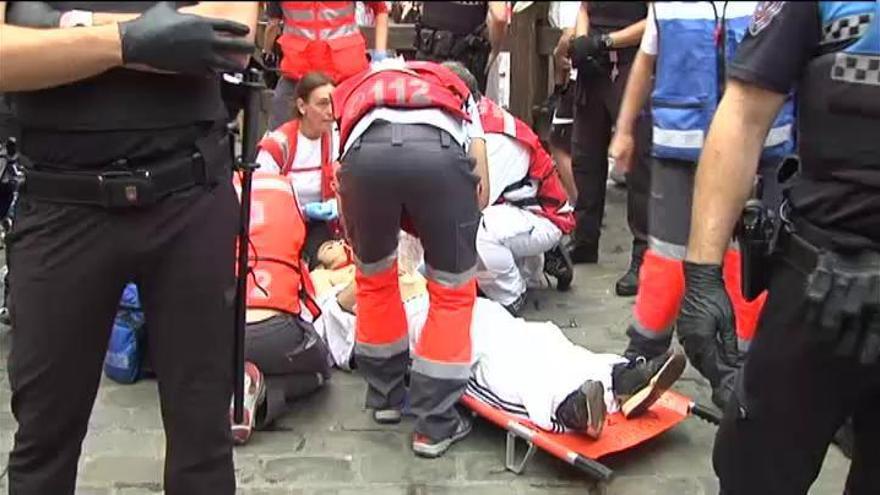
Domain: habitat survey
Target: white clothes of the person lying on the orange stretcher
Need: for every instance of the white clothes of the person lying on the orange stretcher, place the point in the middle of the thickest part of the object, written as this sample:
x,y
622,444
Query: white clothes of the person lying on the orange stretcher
x,y
525,368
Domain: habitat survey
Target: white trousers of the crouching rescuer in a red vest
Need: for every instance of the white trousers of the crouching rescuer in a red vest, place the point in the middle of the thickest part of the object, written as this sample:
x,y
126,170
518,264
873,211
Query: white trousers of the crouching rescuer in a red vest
x,y
511,243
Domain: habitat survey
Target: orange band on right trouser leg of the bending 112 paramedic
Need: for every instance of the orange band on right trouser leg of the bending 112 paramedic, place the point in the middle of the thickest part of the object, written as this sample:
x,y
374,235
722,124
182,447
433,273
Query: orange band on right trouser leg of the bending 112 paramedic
x,y
446,337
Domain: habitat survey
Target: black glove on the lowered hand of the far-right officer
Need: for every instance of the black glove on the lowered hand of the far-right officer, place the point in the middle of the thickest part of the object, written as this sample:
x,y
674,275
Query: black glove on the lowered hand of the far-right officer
x,y
706,324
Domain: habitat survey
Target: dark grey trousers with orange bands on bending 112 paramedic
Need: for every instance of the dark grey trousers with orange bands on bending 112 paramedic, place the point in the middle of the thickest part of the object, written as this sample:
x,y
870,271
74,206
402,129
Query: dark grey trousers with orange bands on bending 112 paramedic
x,y
419,172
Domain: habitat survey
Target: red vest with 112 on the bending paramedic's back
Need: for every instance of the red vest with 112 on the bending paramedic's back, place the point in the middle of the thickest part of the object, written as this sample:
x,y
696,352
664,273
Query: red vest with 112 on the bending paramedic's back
x,y
417,85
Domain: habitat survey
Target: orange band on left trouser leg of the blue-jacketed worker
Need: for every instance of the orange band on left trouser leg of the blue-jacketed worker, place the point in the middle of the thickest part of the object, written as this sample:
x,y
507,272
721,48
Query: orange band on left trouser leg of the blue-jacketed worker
x,y
661,288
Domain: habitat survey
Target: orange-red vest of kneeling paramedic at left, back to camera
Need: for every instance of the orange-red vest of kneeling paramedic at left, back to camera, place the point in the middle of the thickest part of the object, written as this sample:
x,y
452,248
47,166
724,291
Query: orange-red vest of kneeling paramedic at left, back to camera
x,y
278,279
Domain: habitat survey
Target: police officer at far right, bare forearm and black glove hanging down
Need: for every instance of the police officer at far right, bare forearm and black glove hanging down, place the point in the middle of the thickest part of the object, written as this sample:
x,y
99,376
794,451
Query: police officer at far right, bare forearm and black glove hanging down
x,y
815,360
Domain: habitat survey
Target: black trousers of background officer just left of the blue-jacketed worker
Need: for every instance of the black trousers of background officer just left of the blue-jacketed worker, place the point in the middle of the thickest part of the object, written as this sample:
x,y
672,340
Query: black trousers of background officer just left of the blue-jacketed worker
x,y
597,102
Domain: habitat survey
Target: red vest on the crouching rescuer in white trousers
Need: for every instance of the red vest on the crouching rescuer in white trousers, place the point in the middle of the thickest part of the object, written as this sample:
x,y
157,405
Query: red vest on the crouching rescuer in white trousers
x,y
550,199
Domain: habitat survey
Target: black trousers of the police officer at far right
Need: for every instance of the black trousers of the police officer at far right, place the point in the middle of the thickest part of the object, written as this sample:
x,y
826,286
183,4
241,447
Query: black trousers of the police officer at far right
x,y
795,394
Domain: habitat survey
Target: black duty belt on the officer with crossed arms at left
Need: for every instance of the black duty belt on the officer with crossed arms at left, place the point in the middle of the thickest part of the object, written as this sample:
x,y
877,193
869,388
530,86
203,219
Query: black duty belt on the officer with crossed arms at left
x,y
124,187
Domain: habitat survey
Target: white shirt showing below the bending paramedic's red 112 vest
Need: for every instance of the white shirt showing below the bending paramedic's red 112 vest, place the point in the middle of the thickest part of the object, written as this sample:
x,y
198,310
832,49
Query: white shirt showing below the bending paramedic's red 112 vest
x,y
461,131
